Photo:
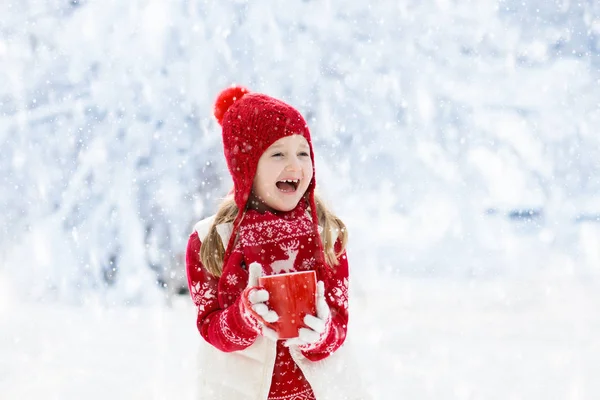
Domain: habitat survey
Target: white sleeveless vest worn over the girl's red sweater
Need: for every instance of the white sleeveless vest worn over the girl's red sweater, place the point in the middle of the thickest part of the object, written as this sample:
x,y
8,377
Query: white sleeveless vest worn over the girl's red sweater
x,y
246,374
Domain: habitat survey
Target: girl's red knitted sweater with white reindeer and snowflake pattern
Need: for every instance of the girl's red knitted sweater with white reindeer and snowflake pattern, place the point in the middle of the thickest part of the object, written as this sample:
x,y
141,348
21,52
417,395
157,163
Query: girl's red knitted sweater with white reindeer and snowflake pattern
x,y
282,242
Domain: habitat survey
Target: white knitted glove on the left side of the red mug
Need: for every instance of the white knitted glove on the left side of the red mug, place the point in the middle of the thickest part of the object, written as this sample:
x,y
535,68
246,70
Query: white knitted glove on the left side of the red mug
x,y
254,302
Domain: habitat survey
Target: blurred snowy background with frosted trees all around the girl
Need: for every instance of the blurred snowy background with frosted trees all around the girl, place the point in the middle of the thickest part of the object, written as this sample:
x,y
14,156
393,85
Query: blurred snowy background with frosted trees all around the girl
x,y
459,140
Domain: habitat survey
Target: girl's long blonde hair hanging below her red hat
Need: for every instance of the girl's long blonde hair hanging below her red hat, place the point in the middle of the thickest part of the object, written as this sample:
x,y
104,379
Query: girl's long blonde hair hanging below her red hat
x,y
212,250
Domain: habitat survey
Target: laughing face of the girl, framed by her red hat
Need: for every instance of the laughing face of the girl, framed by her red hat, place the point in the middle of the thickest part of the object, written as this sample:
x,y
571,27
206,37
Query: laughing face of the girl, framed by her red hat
x,y
288,159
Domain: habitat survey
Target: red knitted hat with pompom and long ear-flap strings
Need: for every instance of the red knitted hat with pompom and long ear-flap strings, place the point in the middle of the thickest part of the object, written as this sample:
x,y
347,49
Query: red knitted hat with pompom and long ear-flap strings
x,y
251,122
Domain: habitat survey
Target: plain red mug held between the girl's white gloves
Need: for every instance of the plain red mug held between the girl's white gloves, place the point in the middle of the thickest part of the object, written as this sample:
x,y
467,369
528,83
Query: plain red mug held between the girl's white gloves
x,y
292,296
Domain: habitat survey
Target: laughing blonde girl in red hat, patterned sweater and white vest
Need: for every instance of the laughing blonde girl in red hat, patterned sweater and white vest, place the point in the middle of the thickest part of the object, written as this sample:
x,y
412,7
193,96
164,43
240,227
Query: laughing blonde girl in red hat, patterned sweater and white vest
x,y
269,225
